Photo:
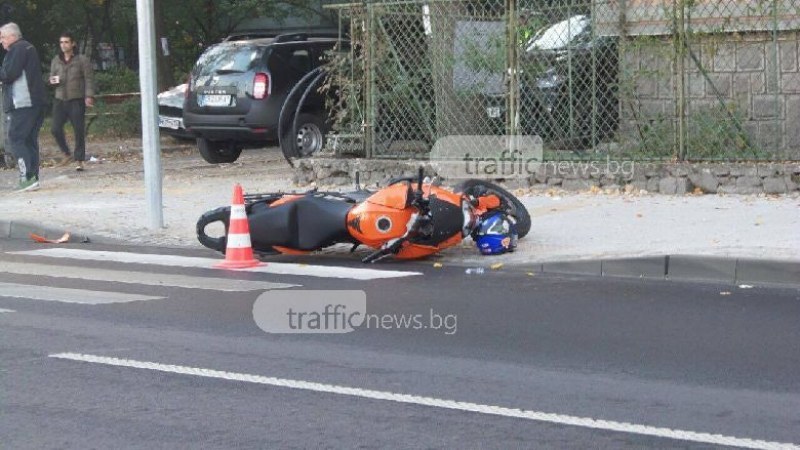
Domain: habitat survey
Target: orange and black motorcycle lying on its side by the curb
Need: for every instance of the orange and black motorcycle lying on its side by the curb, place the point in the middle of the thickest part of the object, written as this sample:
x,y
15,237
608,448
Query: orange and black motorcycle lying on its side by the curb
x,y
407,219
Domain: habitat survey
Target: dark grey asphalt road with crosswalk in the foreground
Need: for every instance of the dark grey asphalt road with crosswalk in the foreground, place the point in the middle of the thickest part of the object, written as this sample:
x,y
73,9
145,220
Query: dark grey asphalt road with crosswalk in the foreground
x,y
650,361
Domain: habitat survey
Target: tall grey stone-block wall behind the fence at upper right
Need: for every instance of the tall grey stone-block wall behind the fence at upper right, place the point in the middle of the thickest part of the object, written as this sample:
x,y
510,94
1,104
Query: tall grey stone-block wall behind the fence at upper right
x,y
741,77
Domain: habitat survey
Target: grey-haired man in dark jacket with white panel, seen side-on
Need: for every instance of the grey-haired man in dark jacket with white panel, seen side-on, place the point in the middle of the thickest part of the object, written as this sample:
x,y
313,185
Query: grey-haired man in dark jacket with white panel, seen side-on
x,y
21,75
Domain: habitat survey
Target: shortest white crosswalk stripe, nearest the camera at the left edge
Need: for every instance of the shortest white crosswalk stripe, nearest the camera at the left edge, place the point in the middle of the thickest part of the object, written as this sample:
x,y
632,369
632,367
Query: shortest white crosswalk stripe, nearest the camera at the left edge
x,y
65,295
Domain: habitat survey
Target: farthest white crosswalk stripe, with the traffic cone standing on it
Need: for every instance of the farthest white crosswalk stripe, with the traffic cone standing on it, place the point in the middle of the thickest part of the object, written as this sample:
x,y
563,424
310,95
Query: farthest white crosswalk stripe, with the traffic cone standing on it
x,y
190,261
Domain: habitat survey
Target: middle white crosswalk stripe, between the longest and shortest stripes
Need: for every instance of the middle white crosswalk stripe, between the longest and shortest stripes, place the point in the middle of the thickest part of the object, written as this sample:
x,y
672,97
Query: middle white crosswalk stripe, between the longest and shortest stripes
x,y
146,278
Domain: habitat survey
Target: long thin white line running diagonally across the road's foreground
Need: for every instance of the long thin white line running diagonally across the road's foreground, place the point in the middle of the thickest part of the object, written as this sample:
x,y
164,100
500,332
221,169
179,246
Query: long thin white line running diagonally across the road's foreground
x,y
584,422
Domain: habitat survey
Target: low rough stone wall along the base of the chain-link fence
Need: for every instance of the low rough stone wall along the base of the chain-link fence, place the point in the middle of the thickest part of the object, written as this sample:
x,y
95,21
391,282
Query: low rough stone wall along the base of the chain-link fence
x,y
665,178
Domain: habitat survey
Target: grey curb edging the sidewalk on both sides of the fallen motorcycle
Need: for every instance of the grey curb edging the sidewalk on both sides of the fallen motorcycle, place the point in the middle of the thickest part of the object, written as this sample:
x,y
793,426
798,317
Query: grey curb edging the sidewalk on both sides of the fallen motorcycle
x,y
692,268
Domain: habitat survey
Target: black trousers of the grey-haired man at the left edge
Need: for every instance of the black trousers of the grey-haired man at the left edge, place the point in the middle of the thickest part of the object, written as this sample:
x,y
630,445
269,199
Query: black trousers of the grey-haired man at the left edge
x,y
23,137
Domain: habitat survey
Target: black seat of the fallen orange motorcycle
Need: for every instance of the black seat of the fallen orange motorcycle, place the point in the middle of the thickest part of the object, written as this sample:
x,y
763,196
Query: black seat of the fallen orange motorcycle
x,y
307,223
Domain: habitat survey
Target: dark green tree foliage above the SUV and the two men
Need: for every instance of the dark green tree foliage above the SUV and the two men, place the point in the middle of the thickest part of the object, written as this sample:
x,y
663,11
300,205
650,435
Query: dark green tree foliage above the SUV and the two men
x,y
190,25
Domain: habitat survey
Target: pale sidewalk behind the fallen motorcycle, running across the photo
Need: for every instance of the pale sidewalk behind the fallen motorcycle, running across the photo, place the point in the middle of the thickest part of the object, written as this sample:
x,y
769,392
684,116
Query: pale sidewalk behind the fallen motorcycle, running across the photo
x,y
595,229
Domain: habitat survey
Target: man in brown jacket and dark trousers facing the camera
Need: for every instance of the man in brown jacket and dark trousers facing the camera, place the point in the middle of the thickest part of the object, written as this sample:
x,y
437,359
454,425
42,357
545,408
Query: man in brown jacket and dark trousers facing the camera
x,y
73,77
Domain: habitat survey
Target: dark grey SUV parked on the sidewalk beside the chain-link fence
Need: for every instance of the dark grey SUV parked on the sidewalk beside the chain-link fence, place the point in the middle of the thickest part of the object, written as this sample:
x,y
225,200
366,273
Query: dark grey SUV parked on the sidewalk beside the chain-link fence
x,y
238,87
